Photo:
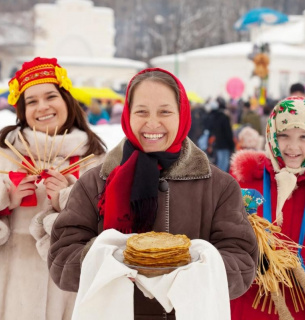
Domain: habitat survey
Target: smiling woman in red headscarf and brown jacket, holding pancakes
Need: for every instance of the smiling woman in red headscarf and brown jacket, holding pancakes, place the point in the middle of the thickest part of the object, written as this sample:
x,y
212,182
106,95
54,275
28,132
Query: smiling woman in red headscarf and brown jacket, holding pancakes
x,y
155,179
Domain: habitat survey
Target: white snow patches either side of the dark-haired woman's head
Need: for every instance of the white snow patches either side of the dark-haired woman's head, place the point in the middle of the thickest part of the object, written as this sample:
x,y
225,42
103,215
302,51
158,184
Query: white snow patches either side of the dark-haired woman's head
x,y
111,134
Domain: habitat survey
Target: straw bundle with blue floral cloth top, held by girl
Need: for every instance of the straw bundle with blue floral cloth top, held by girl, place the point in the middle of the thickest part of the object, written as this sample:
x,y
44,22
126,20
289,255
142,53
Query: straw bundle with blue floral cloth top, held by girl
x,y
279,264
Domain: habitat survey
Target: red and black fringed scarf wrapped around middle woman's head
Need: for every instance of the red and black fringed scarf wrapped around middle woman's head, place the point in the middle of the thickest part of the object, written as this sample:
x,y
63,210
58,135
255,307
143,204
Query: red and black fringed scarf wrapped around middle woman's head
x,y
125,203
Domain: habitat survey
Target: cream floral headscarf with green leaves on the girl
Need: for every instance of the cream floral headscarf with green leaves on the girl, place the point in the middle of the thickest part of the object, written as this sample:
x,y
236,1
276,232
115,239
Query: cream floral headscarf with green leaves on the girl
x,y
289,113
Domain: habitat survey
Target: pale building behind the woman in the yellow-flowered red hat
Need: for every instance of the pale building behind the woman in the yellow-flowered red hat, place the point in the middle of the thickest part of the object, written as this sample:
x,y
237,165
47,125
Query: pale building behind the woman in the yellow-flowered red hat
x,y
78,34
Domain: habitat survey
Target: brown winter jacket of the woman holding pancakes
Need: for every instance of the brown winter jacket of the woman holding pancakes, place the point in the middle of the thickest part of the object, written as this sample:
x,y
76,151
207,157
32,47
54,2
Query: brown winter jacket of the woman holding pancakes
x,y
195,198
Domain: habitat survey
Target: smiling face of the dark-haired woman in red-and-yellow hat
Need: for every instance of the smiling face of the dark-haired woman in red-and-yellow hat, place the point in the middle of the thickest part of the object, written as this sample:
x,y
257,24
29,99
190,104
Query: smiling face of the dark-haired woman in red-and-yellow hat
x,y
45,108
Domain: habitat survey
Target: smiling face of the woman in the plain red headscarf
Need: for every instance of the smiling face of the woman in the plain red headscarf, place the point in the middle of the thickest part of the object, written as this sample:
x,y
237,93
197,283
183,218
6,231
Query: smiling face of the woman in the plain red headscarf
x,y
154,115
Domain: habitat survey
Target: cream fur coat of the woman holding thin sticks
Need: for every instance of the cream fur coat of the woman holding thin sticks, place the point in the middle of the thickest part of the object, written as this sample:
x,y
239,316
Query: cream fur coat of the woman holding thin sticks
x,y
27,291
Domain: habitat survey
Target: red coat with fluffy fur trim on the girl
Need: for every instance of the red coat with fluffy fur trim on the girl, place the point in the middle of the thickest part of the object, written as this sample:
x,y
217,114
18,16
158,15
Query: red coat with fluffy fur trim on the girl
x,y
247,167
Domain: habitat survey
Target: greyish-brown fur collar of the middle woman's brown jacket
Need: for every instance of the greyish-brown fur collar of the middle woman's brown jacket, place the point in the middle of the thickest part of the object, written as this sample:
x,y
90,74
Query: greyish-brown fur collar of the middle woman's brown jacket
x,y
192,163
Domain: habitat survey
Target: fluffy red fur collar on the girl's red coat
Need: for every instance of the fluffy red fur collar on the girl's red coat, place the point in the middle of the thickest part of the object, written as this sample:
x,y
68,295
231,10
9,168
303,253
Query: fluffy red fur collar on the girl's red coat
x,y
248,165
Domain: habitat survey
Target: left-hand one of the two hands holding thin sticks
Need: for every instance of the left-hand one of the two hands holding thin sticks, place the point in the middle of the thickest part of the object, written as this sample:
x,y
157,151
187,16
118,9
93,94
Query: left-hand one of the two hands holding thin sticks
x,y
25,188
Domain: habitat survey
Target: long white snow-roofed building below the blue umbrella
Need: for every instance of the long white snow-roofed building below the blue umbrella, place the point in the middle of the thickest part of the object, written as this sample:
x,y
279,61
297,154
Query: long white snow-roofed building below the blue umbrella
x,y
207,71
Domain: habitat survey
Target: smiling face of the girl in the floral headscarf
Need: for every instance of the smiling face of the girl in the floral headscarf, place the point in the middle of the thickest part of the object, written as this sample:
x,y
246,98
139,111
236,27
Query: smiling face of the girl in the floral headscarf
x,y
292,146
